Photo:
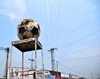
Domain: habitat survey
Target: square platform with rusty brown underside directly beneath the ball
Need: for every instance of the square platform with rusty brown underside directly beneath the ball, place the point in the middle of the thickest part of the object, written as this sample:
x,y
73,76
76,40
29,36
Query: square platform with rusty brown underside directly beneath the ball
x,y
27,45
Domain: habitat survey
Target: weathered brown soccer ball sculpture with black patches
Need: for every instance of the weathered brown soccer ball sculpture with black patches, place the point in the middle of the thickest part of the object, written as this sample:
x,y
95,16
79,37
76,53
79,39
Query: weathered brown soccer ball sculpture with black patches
x,y
28,28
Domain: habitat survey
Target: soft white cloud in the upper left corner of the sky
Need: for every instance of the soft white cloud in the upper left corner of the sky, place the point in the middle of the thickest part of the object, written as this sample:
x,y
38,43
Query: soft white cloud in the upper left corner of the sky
x,y
14,9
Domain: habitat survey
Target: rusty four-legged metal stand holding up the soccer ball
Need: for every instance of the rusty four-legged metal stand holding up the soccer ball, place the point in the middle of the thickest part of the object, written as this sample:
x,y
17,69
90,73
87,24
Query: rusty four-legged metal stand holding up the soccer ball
x,y
31,44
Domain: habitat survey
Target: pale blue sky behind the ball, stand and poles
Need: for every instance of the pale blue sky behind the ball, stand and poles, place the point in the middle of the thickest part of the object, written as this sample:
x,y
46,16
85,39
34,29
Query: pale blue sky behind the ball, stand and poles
x,y
72,26
